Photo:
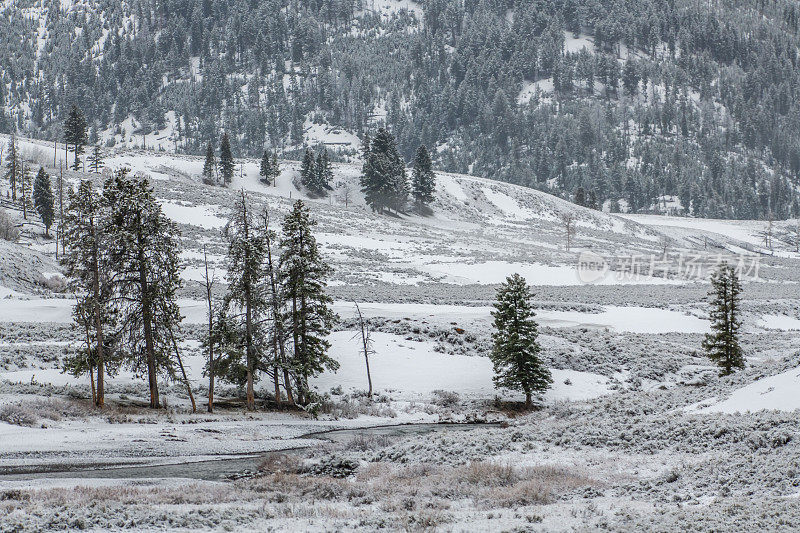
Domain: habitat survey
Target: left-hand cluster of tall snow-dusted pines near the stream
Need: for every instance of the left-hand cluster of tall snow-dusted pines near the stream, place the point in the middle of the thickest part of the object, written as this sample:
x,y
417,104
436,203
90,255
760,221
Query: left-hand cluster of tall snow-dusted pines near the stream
x,y
122,259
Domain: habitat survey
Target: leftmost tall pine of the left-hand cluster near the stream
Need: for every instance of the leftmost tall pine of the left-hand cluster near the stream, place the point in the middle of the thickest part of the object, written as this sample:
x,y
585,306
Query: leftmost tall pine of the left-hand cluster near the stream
x,y
86,262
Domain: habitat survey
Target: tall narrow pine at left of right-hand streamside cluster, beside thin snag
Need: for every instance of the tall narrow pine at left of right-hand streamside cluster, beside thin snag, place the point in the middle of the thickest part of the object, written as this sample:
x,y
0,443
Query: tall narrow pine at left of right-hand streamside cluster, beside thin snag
x,y
247,291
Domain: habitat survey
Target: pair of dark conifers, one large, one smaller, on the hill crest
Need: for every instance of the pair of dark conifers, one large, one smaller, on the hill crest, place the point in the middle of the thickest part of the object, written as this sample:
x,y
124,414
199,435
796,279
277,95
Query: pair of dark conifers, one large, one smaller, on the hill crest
x,y
383,176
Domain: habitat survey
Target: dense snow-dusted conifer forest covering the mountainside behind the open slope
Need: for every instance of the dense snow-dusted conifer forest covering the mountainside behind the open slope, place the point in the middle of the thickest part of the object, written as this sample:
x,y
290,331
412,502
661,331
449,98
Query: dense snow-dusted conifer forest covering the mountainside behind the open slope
x,y
685,106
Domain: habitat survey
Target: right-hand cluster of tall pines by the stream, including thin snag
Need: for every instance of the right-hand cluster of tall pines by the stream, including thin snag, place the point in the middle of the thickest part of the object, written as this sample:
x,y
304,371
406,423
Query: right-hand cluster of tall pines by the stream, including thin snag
x,y
276,315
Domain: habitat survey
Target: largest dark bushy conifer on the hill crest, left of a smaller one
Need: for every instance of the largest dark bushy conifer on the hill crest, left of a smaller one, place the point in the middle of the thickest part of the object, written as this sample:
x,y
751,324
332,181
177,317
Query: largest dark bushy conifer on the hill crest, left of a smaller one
x,y
383,176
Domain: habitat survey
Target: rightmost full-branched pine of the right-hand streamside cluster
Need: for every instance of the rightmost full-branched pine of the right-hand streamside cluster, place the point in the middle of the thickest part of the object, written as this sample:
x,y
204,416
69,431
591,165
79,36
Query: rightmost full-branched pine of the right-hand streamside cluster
x,y
302,281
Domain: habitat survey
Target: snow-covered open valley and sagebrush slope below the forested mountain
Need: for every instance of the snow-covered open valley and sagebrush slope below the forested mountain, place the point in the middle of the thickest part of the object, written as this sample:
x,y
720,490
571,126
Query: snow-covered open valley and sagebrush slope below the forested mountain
x,y
637,433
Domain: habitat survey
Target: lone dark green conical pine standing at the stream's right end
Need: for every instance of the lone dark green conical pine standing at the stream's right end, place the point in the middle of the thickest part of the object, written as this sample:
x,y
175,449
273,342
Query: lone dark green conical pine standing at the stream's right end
x,y
515,354
